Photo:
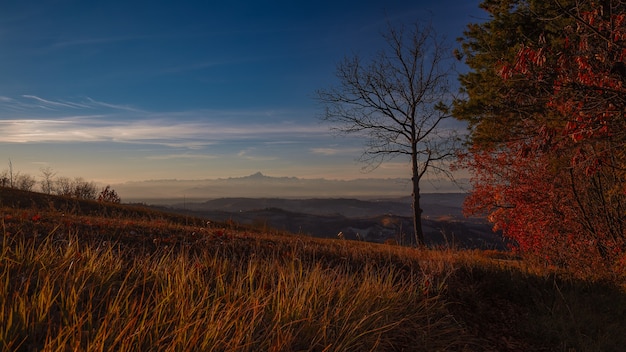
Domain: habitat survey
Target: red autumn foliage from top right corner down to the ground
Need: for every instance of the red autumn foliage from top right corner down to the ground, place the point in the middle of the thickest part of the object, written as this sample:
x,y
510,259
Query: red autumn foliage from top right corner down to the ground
x,y
559,189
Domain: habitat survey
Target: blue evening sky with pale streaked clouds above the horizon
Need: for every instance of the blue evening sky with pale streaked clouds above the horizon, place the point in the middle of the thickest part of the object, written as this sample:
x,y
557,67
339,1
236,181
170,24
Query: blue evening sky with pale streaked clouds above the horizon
x,y
120,90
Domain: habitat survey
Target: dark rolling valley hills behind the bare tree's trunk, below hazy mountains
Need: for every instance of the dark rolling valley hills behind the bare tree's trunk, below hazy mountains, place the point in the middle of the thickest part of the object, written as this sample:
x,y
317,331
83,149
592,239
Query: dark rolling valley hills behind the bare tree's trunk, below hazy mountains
x,y
374,220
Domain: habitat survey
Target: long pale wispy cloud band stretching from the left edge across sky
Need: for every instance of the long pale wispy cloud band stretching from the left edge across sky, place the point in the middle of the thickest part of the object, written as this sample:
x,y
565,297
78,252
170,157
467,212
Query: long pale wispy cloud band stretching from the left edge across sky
x,y
89,120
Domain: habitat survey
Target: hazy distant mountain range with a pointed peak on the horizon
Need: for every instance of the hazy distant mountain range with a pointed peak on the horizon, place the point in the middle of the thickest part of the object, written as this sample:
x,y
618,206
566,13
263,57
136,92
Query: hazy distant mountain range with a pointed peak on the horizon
x,y
261,186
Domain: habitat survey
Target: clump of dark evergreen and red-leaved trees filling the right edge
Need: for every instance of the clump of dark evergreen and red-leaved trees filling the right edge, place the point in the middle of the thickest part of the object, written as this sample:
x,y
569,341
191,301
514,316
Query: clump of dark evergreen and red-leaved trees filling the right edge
x,y
545,103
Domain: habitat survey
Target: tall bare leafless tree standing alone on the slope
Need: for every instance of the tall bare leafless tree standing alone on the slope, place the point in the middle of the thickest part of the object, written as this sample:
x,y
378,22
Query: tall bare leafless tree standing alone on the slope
x,y
397,100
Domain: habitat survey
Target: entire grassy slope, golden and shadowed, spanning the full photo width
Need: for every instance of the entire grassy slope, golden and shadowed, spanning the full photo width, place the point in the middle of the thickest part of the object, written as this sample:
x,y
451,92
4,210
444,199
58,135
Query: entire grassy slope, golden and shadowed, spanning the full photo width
x,y
109,277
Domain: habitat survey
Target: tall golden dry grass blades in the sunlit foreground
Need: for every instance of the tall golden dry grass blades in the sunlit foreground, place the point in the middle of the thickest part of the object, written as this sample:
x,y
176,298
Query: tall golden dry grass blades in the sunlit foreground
x,y
59,293
